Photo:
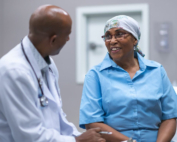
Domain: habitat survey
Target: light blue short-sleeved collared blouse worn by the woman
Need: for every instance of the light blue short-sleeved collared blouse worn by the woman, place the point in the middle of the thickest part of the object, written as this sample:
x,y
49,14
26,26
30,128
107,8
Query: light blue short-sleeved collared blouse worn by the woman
x,y
134,107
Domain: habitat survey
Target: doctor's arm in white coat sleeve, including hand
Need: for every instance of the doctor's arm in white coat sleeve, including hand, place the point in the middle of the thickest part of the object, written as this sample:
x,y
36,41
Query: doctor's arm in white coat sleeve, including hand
x,y
18,103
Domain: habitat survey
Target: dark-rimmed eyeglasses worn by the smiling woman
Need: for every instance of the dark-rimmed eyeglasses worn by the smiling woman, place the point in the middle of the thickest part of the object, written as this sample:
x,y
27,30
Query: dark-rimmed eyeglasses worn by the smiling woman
x,y
117,36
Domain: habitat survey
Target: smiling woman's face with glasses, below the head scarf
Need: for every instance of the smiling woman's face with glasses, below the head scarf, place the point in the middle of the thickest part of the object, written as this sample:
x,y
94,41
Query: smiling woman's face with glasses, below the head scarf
x,y
120,44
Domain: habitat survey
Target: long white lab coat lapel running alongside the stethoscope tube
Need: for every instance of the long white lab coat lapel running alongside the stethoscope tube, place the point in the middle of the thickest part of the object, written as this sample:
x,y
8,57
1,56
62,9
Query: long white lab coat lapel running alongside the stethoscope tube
x,y
30,56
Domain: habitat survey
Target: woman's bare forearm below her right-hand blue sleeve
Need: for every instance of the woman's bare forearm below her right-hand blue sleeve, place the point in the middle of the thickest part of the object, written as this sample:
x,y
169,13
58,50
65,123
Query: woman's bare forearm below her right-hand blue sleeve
x,y
167,130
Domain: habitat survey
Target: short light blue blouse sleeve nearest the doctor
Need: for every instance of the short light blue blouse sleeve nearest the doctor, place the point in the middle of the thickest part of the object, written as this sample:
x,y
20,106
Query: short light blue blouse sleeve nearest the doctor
x,y
91,103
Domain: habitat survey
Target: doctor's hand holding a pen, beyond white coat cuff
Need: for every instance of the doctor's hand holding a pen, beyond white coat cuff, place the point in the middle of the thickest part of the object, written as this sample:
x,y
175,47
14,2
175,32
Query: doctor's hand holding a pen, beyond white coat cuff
x,y
92,135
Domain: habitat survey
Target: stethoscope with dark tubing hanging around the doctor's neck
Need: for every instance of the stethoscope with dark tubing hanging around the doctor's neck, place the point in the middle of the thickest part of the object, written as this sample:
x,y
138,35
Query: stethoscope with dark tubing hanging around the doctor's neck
x,y
43,100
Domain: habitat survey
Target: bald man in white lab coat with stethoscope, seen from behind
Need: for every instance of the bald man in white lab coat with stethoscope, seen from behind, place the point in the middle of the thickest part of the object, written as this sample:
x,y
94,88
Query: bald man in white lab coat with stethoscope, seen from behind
x,y
30,104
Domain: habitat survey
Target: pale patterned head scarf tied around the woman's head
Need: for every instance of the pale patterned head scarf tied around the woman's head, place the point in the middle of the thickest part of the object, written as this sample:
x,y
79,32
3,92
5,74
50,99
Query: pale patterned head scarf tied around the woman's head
x,y
128,24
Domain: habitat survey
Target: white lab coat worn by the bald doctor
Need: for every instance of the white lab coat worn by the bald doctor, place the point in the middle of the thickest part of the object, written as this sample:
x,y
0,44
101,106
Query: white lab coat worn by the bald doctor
x,y
22,119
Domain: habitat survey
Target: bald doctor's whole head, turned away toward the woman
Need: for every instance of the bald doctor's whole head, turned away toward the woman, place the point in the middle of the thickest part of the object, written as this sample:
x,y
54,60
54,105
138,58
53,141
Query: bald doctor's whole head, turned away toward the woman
x,y
49,29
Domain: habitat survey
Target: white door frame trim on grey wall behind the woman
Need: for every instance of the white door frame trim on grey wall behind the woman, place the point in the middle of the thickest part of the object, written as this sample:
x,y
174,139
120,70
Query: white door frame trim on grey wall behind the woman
x,y
81,35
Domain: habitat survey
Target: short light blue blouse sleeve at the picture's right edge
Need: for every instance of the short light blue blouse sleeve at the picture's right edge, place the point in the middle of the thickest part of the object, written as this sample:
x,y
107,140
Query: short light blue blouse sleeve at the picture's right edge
x,y
169,98
